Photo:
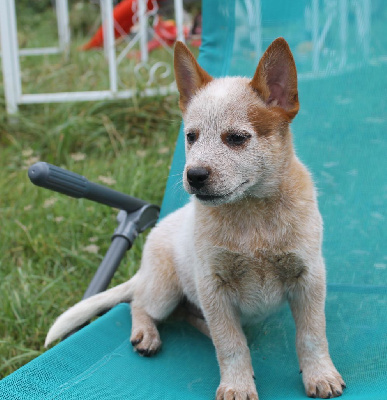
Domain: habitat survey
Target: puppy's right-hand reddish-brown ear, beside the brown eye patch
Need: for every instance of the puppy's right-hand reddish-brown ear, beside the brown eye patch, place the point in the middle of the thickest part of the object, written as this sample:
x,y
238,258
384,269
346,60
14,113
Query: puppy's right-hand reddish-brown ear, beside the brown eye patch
x,y
275,78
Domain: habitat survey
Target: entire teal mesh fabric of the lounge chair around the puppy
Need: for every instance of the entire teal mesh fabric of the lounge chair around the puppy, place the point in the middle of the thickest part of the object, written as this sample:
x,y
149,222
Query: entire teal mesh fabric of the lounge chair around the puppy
x,y
340,48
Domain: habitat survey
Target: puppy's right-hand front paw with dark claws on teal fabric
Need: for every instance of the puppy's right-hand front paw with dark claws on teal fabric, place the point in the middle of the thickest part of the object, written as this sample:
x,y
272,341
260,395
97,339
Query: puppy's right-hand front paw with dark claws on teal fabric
x,y
321,379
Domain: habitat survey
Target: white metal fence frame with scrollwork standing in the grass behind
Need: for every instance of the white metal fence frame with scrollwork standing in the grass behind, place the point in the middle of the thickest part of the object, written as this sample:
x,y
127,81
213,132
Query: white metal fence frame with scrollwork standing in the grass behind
x,y
11,54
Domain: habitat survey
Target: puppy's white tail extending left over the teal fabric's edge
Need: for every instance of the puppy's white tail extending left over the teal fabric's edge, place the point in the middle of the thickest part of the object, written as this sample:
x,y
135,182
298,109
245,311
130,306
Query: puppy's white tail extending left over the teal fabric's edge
x,y
83,311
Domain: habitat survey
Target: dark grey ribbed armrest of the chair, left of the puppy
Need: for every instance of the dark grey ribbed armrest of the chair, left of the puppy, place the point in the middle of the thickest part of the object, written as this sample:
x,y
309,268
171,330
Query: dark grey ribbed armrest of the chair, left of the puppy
x,y
60,180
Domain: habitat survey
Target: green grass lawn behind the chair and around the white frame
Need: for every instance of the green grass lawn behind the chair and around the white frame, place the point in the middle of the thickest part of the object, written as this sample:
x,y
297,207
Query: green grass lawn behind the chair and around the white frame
x,y
51,245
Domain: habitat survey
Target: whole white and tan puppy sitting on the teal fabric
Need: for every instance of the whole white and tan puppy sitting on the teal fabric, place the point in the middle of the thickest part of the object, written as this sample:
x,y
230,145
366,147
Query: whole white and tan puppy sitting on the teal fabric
x,y
250,238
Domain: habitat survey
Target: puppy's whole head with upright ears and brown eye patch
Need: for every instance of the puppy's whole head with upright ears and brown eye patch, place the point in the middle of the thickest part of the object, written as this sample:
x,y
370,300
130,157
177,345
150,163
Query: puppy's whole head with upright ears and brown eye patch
x,y
237,130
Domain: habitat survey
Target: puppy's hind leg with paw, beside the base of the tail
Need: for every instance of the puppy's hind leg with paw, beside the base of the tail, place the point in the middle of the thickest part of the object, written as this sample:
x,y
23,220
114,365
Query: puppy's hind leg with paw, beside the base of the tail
x,y
157,294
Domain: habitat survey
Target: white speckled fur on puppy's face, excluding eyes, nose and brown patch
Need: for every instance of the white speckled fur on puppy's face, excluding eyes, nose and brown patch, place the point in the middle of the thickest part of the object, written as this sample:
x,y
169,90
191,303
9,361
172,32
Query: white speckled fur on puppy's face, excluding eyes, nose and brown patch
x,y
229,169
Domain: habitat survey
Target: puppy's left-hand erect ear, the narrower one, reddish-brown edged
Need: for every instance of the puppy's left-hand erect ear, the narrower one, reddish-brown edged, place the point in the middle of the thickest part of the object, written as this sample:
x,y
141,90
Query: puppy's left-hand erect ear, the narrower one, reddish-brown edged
x,y
190,76
